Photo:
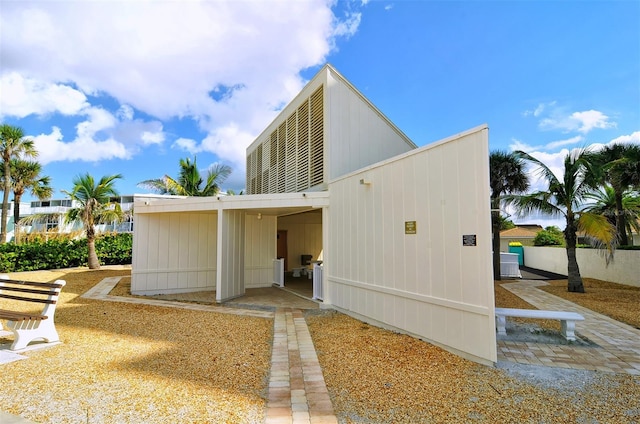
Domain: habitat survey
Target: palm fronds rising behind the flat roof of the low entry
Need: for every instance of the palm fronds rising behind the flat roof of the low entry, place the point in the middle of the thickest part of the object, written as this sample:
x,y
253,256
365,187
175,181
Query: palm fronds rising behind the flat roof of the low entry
x,y
189,181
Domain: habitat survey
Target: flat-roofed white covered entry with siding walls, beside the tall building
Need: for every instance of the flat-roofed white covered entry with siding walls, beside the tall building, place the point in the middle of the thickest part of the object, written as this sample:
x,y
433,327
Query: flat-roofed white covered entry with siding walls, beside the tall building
x,y
221,244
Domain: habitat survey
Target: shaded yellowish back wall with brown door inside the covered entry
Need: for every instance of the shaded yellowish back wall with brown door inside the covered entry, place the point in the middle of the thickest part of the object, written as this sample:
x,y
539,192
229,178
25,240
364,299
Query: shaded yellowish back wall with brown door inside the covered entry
x,y
304,236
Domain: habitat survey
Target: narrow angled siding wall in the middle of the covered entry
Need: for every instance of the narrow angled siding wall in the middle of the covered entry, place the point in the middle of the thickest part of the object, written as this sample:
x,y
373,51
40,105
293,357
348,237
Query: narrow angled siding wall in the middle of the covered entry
x,y
230,268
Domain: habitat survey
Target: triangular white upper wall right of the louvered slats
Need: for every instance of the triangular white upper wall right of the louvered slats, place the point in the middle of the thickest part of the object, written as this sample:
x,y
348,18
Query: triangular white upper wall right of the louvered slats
x,y
357,133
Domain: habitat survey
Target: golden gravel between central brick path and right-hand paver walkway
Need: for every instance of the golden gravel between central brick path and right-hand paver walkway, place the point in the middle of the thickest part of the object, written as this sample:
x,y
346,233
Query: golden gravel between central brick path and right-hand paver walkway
x,y
377,376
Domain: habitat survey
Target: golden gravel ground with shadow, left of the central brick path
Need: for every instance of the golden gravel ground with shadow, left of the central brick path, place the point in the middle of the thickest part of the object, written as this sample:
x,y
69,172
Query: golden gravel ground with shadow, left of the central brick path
x,y
127,363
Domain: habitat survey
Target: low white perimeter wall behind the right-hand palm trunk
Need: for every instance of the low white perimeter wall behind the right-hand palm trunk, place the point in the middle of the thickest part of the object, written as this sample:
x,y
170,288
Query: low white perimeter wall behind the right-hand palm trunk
x,y
625,268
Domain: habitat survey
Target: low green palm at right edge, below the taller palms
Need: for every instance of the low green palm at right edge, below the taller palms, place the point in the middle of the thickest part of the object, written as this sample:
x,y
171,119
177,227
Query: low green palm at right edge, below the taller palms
x,y
604,203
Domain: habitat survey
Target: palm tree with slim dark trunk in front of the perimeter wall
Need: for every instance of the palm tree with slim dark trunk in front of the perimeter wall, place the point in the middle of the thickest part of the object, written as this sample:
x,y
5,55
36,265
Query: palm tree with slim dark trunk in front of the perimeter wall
x,y
565,197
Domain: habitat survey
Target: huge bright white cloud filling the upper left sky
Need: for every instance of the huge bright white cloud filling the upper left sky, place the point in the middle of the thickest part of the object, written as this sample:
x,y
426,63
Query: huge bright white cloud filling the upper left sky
x,y
165,59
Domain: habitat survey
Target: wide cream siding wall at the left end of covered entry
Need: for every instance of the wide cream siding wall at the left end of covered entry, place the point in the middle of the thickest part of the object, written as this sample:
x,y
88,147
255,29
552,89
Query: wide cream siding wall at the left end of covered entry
x,y
173,253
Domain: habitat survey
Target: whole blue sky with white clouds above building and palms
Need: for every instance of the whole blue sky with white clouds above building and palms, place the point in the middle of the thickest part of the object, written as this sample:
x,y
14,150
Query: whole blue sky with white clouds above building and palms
x,y
131,87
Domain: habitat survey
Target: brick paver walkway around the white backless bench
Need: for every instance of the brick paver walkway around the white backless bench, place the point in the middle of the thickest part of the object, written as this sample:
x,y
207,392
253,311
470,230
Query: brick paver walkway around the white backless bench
x,y
617,344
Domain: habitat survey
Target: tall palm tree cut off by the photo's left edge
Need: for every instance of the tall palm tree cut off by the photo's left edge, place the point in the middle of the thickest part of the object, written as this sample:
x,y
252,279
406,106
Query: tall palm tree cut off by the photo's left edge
x,y
13,144
